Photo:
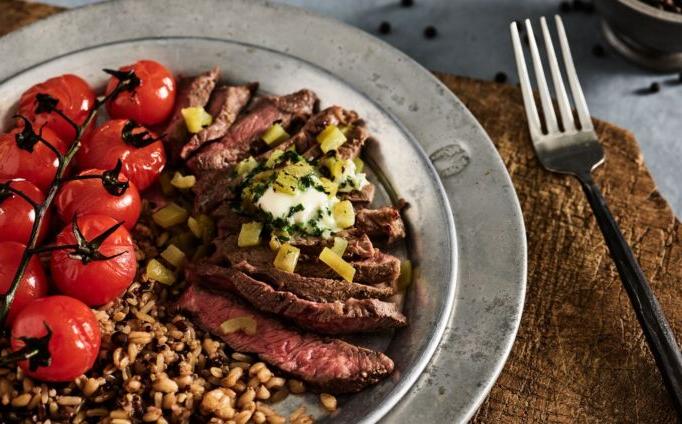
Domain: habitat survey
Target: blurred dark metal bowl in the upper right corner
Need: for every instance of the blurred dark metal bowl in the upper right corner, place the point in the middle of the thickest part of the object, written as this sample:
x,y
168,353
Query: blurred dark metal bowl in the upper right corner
x,y
648,36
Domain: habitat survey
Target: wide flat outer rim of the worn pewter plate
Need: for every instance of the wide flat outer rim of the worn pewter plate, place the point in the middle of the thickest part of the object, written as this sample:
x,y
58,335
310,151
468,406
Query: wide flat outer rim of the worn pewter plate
x,y
483,324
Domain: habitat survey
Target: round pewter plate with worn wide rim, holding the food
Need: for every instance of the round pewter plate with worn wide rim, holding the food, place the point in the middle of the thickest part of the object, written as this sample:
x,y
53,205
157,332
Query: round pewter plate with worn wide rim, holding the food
x,y
287,48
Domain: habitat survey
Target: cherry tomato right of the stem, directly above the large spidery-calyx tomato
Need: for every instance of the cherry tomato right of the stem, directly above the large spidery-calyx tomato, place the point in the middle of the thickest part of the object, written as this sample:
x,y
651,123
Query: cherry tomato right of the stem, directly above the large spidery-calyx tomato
x,y
89,196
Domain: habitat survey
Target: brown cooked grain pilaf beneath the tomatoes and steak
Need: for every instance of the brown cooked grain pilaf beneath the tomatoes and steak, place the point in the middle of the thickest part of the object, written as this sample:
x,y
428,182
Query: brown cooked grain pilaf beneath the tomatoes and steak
x,y
154,366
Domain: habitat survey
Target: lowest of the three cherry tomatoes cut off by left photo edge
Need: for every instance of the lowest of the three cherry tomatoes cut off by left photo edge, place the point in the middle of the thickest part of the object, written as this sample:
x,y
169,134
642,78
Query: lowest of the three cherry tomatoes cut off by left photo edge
x,y
33,284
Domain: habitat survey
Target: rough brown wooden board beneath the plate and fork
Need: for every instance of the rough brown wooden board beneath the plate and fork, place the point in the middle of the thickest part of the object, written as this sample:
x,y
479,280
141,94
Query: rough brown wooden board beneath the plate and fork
x,y
580,355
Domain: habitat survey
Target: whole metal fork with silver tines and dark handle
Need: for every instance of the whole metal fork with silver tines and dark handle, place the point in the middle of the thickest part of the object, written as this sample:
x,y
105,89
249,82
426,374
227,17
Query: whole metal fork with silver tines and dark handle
x,y
564,148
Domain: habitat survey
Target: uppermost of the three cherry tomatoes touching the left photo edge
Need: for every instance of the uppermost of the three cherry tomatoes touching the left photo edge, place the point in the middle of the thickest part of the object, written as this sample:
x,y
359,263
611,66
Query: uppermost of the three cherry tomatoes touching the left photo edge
x,y
37,163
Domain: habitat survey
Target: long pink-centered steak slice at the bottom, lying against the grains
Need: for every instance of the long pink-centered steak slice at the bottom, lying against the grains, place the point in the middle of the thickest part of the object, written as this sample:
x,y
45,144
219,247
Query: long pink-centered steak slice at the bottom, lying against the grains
x,y
331,365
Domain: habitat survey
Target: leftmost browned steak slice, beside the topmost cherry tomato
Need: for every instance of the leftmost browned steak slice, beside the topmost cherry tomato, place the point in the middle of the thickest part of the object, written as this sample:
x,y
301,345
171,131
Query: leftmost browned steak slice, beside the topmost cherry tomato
x,y
192,92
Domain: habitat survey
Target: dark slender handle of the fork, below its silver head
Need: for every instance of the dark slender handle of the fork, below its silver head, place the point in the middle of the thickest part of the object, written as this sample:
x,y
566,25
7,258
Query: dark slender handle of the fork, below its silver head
x,y
656,328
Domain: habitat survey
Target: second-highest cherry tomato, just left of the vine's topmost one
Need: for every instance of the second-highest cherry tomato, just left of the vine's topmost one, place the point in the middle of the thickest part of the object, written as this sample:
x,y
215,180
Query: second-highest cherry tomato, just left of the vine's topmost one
x,y
76,100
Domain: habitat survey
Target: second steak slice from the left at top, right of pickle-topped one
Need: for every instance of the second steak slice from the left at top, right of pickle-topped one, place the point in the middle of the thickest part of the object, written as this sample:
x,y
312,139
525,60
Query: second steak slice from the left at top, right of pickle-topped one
x,y
226,103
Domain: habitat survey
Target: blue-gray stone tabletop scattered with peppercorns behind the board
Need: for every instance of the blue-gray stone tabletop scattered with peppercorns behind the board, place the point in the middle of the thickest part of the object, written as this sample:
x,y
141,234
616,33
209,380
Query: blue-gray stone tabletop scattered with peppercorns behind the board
x,y
474,41
